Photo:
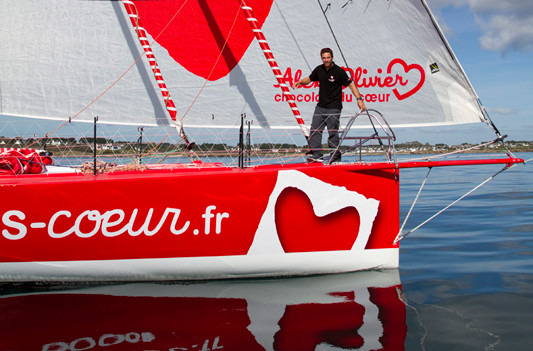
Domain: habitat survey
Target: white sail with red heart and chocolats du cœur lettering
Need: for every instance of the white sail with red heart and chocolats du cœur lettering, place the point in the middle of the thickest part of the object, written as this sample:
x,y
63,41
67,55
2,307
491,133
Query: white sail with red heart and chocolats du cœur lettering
x,y
58,57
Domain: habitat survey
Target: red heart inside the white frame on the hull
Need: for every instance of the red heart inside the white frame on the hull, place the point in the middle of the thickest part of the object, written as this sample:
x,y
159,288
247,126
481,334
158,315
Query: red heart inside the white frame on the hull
x,y
300,230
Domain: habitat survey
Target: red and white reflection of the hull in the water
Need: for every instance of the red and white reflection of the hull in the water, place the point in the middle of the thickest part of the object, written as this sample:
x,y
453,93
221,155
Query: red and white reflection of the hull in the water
x,y
360,311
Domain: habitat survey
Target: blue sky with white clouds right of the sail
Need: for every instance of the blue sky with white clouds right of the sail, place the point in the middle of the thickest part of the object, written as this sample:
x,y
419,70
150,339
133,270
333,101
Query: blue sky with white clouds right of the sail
x,y
493,40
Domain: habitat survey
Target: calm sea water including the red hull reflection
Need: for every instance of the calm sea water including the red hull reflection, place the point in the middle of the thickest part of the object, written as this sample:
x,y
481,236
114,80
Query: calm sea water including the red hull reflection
x,y
465,283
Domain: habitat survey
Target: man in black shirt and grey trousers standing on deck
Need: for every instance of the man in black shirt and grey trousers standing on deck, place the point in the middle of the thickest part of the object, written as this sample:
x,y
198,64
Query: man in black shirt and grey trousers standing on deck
x,y
331,79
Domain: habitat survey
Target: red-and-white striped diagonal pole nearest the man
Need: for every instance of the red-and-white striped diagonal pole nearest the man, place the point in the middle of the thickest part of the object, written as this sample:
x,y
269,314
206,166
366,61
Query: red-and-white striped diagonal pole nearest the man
x,y
252,20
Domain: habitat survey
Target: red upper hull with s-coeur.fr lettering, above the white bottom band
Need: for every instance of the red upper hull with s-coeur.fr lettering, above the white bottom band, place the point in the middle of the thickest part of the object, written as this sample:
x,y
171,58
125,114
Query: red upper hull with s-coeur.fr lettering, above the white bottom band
x,y
197,212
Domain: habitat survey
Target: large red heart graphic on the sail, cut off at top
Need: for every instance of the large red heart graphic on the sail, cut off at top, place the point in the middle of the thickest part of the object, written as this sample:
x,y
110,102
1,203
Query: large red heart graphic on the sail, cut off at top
x,y
195,32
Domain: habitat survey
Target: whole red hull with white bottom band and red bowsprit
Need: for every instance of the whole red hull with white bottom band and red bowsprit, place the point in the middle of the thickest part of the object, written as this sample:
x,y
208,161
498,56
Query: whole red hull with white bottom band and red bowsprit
x,y
202,222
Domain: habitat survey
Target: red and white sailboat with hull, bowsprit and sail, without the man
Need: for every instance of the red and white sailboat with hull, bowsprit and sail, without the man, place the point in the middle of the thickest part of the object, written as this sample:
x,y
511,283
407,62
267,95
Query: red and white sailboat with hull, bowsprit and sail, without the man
x,y
198,65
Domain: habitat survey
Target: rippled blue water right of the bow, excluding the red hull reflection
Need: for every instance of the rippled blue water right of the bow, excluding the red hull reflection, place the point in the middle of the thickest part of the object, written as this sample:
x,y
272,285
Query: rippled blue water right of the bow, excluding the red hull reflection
x,y
468,275
